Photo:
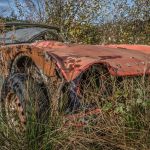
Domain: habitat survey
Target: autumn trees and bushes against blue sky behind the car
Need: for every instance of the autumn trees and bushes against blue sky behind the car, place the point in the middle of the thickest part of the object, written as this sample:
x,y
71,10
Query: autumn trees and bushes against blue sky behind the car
x,y
90,21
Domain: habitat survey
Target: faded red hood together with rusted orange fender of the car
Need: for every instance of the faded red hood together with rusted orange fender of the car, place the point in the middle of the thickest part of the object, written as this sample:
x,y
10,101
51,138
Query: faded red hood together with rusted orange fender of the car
x,y
73,59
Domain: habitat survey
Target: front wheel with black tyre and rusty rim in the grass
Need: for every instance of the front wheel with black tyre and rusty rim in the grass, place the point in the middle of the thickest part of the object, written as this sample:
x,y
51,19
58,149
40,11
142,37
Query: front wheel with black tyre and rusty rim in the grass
x,y
24,102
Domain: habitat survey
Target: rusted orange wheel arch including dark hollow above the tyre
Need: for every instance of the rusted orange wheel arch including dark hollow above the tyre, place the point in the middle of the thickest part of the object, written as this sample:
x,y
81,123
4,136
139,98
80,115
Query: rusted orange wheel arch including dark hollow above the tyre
x,y
18,54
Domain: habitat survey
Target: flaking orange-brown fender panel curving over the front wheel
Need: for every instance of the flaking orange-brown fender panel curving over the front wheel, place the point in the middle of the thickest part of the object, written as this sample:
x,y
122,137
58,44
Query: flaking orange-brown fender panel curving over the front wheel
x,y
9,53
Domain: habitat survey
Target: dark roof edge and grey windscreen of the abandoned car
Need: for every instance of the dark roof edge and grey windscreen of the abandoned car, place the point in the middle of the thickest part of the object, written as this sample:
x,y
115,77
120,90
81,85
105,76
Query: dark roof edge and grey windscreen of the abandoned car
x,y
23,32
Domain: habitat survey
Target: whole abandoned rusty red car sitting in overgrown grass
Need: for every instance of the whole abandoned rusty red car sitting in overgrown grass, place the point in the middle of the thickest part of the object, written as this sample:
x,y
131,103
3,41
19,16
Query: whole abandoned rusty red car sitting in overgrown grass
x,y
40,70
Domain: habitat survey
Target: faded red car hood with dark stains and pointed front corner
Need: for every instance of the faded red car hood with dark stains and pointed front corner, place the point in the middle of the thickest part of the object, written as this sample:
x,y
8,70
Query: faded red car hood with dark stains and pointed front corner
x,y
121,60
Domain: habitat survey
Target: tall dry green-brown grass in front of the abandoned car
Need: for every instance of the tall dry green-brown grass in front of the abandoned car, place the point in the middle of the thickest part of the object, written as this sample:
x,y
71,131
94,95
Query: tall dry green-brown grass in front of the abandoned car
x,y
122,124
